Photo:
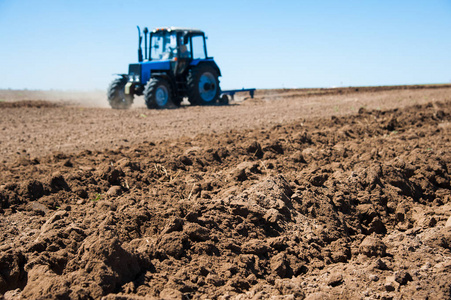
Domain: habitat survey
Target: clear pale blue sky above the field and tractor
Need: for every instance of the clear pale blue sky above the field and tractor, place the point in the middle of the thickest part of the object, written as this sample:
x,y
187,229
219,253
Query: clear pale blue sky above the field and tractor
x,y
56,44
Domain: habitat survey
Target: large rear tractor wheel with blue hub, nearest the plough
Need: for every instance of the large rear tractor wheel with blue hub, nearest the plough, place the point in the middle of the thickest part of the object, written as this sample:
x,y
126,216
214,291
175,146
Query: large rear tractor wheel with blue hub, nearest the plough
x,y
203,85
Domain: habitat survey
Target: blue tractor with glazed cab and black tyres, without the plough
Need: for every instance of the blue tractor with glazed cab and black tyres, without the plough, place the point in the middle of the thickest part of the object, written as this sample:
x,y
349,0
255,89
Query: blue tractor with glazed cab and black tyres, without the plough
x,y
173,65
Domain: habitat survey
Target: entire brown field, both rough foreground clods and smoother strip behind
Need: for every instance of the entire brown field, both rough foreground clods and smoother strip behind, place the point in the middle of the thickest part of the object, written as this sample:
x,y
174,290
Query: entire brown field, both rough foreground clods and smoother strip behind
x,y
289,195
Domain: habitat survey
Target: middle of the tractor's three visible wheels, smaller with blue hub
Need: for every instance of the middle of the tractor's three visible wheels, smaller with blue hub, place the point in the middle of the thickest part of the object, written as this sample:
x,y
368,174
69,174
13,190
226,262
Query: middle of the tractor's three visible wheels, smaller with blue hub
x,y
158,94
